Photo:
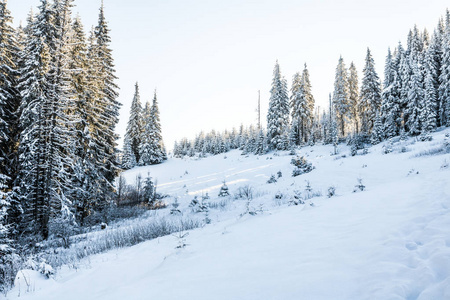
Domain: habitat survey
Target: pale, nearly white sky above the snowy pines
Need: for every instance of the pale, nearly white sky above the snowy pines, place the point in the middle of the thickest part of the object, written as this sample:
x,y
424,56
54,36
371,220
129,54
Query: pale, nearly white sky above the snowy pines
x,y
208,59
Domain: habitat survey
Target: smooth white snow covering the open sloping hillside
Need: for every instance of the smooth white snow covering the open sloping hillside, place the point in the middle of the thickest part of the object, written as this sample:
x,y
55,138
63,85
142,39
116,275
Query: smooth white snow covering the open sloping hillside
x,y
391,241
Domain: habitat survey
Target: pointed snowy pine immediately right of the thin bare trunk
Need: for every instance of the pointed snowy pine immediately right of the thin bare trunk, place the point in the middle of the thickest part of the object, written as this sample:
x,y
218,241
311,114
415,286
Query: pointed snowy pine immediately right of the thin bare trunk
x,y
278,114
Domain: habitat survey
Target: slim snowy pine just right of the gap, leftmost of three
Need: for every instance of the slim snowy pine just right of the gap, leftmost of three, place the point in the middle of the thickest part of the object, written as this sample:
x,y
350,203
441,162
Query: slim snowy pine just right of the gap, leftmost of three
x,y
341,98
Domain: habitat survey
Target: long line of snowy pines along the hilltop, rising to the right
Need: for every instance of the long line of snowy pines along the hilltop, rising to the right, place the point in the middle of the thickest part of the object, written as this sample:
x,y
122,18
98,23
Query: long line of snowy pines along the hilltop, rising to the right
x,y
414,100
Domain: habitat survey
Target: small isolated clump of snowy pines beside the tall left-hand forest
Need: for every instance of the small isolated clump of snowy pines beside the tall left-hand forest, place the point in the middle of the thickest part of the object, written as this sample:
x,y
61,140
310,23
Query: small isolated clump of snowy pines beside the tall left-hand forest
x,y
143,143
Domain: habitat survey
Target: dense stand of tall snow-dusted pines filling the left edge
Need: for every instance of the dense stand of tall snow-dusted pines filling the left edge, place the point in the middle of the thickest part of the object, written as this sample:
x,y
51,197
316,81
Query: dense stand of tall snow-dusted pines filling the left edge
x,y
58,112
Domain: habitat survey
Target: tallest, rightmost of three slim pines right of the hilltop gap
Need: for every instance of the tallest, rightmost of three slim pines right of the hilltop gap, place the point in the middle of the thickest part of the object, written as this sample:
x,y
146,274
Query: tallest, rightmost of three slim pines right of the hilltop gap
x,y
370,100
